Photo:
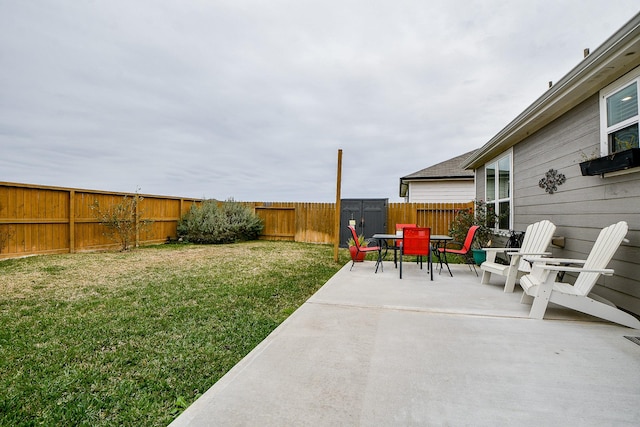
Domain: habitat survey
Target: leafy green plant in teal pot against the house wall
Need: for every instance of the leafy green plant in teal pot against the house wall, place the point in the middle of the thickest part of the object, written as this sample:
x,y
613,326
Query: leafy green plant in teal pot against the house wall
x,y
483,216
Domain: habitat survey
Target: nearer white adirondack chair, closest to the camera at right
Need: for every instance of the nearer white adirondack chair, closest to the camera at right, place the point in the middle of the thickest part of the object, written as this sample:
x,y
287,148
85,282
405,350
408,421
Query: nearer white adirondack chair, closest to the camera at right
x,y
541,286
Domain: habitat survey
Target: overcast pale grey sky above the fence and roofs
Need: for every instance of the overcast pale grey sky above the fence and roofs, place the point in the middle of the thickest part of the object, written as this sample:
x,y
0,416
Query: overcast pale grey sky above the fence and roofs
x,y
251,99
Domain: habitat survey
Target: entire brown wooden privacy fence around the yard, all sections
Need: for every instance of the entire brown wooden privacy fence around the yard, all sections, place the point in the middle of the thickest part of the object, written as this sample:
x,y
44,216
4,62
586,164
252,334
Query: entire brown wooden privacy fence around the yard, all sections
x,y
48,220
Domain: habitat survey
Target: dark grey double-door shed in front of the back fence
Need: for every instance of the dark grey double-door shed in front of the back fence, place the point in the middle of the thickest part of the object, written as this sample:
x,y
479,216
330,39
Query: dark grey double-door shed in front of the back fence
x,y
369,215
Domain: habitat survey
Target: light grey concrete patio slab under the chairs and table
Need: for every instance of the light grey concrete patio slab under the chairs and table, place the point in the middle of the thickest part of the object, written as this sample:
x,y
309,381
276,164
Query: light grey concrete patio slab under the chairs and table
x,y
372,350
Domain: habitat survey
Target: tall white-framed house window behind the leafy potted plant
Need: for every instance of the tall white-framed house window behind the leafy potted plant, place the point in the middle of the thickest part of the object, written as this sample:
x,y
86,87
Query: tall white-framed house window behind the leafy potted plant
x,y
498,189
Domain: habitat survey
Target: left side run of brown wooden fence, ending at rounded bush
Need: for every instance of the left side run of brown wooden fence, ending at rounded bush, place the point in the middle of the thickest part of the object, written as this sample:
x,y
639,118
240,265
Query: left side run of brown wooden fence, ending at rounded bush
x,y
49,220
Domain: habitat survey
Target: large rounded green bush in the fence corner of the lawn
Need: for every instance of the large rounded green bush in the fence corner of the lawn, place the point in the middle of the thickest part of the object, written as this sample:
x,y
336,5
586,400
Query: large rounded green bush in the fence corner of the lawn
x,y
214,222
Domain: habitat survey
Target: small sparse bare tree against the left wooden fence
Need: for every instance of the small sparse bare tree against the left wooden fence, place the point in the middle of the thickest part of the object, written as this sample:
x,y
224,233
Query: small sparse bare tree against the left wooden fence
x,y
123,220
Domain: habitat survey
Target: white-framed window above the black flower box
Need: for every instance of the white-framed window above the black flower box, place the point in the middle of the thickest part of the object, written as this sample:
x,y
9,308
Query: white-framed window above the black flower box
x,y
619,115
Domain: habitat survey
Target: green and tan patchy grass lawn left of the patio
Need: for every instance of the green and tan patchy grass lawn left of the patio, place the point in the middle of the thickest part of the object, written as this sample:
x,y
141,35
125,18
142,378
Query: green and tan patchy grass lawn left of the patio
x,y
134,338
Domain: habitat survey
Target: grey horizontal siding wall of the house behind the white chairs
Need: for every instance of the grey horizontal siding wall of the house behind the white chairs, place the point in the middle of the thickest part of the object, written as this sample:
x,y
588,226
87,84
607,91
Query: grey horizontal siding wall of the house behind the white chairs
x,y
583,205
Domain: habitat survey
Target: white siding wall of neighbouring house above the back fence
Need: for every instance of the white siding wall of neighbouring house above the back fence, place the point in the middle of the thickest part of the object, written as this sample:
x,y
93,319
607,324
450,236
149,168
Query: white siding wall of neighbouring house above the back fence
x,y
441,191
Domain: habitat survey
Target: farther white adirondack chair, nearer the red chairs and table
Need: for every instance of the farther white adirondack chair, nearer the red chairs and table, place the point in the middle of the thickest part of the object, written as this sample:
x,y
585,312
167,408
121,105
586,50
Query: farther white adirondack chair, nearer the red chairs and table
x,y
537,238
